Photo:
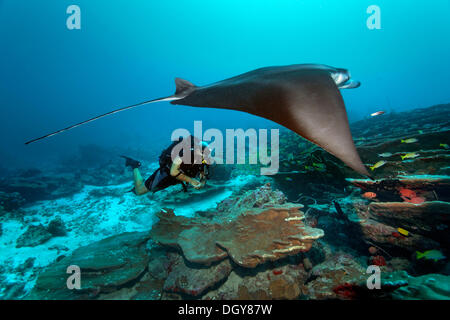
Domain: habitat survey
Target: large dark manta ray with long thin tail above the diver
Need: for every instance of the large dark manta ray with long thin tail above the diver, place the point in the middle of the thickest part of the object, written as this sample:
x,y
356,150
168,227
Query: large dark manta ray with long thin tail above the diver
x,y
304,98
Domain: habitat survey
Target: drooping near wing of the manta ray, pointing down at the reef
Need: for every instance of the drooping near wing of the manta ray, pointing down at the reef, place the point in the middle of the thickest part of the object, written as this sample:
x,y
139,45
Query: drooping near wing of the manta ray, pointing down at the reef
x,y
315,110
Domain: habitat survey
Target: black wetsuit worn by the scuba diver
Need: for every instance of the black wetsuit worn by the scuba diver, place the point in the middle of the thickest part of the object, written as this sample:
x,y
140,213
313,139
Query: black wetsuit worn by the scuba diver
x,y
162,179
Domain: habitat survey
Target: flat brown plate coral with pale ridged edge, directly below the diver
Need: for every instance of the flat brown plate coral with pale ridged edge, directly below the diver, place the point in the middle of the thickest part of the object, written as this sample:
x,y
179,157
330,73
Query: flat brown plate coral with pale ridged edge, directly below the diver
x,y
256,236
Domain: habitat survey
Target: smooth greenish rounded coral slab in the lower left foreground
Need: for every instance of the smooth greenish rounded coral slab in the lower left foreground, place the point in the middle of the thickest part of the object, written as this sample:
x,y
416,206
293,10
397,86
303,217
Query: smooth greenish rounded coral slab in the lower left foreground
x,y
105,266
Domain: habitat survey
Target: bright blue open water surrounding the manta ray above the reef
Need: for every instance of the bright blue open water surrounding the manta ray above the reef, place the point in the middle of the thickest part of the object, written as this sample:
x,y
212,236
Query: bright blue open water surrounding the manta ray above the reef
x,y
129,51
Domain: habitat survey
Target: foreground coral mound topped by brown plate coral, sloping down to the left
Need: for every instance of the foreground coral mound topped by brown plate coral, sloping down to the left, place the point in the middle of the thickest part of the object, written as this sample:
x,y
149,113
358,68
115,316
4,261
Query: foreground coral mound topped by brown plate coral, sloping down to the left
x,y
185,257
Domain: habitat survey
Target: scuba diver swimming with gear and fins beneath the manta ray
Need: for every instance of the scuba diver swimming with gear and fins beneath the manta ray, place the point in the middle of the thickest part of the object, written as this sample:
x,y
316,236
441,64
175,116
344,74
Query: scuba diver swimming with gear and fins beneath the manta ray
x,y
175,168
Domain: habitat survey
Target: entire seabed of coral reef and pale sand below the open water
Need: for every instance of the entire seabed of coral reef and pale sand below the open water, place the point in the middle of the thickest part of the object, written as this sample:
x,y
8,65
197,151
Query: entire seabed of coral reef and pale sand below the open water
x,y
309,232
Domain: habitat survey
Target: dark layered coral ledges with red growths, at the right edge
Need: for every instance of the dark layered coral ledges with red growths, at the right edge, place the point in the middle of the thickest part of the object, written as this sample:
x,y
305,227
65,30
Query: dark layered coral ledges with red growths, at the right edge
x,y
427,222
